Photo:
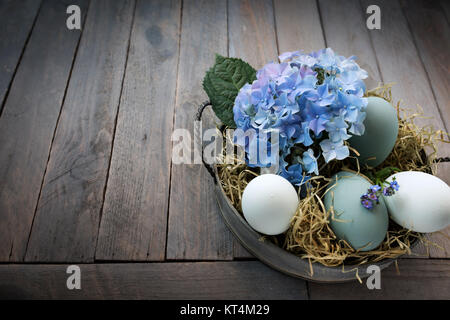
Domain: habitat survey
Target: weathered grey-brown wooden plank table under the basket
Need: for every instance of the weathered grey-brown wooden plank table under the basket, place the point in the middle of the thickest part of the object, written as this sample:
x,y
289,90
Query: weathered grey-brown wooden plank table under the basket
x,y
86,119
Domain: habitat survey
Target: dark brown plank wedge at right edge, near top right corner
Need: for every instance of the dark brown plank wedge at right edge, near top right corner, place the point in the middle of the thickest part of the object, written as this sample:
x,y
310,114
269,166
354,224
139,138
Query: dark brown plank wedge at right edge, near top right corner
x,y
431,33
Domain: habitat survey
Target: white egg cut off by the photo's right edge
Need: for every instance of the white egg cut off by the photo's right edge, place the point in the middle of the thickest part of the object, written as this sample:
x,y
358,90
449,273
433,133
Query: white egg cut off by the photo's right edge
x,y
421,204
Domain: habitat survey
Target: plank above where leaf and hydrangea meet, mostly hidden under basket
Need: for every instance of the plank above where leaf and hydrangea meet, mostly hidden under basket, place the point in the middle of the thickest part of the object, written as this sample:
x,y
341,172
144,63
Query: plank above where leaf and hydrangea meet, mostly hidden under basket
x,y
251,31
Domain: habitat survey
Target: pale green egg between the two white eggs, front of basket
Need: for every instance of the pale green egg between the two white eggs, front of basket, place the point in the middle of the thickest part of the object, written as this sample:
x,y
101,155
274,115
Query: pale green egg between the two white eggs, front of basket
x,y
362,228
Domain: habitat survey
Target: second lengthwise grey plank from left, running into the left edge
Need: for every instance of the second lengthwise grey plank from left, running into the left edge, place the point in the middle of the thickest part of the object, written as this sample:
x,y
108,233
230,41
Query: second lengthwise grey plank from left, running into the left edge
x,y
28,122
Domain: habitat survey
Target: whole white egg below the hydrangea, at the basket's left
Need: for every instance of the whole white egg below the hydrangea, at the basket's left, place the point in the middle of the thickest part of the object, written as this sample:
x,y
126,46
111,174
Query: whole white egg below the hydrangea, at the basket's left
x,y
269,202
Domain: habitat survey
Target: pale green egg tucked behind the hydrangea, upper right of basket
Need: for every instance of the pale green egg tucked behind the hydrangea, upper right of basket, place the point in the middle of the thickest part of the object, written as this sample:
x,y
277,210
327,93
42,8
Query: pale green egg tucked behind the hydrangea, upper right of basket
x,y
381,130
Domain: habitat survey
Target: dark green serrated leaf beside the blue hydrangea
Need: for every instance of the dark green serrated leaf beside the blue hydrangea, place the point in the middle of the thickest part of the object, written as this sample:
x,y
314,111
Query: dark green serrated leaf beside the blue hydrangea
x,y
222,84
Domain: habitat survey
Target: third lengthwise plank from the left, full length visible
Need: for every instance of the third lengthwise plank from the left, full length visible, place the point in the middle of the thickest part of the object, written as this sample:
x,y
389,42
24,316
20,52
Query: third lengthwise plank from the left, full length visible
x,y
67,218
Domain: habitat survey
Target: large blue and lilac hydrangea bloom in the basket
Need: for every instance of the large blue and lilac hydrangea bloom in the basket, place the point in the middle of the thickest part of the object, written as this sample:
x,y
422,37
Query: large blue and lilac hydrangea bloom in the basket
x,y
314,101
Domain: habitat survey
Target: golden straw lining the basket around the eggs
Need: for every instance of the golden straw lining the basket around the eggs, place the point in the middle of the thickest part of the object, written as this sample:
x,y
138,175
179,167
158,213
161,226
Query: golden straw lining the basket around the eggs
x,y
309,235
